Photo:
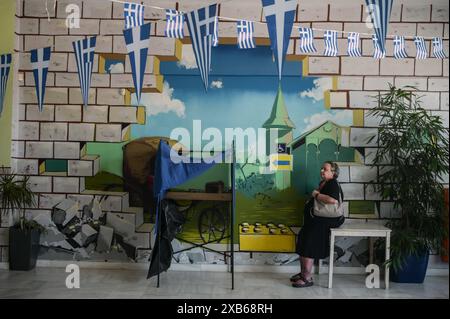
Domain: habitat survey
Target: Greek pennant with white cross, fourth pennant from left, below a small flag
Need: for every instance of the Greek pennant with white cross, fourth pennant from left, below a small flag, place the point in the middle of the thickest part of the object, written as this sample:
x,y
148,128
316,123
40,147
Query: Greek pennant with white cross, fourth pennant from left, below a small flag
x,y
137,41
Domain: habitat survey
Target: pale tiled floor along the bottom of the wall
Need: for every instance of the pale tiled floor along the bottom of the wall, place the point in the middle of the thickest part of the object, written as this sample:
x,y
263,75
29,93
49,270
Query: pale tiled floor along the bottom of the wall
x,y
98,283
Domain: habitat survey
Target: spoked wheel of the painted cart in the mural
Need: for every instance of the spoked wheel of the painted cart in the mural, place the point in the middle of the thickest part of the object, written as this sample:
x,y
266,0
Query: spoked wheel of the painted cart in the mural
x,y
212,225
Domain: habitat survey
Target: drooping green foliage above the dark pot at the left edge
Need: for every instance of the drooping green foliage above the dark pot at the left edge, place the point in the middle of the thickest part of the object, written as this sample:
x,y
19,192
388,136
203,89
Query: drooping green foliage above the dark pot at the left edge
x,y
16,195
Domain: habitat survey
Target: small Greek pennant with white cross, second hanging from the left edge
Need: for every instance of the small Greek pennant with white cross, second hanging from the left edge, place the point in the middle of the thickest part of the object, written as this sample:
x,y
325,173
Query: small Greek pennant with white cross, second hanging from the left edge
x,y
40,60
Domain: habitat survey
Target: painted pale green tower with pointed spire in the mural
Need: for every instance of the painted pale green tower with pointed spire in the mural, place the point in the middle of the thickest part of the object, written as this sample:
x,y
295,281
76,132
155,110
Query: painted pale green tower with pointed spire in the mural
x,y
279,120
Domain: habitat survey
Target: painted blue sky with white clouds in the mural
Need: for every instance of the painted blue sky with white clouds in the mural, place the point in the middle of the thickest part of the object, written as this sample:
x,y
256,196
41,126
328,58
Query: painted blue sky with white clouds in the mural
x,y
243,87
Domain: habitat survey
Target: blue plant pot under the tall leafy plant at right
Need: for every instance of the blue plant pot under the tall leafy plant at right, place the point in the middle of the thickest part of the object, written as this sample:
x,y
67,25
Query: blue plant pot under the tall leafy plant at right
x,y
413,271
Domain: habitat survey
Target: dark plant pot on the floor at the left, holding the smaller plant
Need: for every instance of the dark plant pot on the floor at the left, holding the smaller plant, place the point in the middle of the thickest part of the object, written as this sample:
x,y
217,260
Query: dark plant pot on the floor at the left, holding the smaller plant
x,y
23,248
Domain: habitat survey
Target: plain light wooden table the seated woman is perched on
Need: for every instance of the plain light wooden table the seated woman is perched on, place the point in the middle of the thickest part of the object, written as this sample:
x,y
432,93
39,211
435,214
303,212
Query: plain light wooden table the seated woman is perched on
x,y
360,230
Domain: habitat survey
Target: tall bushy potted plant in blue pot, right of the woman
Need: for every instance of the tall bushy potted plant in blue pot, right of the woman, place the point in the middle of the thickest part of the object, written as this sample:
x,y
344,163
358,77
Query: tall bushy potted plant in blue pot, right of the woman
x,y
414,150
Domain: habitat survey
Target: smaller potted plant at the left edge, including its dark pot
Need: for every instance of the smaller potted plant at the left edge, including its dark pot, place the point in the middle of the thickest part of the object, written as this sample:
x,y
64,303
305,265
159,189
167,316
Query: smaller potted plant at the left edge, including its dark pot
x,y
24,235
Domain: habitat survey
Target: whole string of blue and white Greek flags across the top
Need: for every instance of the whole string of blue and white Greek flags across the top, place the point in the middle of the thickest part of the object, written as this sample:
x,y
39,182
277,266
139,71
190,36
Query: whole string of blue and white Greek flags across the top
x,y
203,26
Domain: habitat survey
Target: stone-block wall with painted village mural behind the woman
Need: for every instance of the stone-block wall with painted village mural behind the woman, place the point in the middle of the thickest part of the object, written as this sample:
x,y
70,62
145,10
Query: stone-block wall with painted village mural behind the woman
x,y
75,156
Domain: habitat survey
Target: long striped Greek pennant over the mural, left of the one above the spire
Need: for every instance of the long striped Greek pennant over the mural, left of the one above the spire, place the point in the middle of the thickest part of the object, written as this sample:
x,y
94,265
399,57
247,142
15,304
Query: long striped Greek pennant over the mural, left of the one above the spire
x,y
201,27
